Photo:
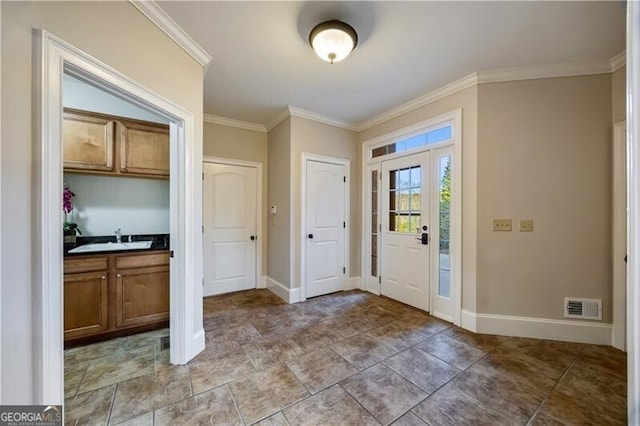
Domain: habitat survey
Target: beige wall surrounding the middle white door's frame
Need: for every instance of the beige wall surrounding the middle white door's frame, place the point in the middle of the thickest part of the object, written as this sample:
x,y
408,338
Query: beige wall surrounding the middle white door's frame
x,y
316,138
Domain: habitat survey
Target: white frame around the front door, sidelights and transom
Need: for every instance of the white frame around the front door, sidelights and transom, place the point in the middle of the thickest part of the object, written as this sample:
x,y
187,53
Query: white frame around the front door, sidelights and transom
x,y
455,118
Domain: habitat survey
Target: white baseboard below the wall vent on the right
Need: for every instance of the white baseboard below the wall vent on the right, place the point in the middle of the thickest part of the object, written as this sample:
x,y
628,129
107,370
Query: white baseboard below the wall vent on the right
x,y
538,328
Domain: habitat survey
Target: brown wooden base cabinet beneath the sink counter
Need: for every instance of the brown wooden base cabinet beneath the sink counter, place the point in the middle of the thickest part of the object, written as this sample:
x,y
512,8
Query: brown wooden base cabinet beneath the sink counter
x,y
114,292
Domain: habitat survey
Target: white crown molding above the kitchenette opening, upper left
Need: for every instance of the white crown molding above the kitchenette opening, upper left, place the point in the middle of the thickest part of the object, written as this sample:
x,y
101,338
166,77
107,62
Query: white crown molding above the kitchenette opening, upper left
x,y
167,25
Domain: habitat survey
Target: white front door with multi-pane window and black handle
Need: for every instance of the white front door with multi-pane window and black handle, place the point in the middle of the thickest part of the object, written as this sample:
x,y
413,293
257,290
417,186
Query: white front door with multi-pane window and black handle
x,y
405,219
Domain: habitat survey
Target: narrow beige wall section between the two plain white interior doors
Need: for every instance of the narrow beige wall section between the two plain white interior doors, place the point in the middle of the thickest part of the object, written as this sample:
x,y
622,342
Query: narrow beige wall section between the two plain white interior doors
x,y
279,252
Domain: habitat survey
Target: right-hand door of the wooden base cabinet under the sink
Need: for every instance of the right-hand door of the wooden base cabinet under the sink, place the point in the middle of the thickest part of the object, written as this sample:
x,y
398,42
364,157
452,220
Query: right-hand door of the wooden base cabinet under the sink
x,y
142,295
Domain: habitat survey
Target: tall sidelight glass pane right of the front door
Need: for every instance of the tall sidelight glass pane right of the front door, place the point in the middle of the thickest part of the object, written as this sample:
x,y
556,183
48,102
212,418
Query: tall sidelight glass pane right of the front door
x,y
444,173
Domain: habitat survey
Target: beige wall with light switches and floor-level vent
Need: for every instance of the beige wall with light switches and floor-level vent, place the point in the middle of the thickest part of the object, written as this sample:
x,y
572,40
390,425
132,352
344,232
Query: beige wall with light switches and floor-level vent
x,y
544,153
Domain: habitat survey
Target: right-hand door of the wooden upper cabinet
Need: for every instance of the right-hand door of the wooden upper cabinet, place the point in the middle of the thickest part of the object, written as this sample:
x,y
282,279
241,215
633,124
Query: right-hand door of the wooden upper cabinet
x,y
144,149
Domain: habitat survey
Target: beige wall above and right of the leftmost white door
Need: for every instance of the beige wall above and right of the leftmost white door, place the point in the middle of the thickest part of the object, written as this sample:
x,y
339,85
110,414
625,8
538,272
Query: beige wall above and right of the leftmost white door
x,y
247,145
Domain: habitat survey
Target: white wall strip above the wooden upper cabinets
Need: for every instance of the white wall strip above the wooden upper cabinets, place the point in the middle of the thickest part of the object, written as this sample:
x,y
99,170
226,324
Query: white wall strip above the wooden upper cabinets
x,y
80,95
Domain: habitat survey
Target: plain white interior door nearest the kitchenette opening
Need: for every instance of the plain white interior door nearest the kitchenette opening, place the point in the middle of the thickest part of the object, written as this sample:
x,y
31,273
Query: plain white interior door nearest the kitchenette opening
x,y
230,202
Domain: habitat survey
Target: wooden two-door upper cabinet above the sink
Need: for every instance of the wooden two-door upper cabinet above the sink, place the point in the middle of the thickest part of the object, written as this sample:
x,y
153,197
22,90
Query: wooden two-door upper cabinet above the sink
x,y
98,143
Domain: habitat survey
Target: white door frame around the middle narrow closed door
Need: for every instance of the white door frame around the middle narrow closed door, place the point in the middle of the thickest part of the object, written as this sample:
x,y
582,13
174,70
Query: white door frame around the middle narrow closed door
x,y
303,219
